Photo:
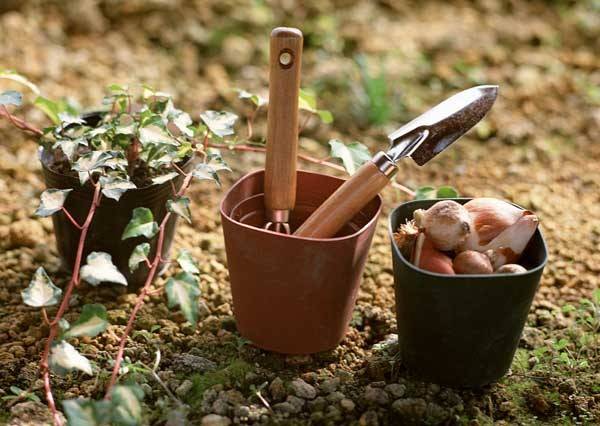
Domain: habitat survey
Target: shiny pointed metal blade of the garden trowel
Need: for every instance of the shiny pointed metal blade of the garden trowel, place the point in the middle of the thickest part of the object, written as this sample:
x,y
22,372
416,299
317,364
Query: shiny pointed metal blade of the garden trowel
x,y
433,131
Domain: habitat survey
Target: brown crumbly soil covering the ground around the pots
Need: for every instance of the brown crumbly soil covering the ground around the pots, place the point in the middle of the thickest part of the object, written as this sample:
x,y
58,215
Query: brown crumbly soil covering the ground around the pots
x,y
537,148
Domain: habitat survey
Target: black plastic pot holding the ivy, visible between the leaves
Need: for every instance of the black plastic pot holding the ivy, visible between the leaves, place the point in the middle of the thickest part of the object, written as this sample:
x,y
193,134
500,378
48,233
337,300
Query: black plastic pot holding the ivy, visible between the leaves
x,y
110,219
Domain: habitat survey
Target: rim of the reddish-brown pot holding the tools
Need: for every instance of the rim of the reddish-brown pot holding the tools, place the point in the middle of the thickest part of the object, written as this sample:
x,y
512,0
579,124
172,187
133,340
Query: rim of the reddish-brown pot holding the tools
x,y
374,217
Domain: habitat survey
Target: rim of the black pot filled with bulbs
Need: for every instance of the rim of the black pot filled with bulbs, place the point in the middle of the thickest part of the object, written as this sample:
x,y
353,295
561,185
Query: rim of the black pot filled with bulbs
x,y
408,264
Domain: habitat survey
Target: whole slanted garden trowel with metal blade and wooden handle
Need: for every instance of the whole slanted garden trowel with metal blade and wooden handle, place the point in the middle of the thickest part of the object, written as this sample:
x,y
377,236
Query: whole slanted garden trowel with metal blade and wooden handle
x,y
421,139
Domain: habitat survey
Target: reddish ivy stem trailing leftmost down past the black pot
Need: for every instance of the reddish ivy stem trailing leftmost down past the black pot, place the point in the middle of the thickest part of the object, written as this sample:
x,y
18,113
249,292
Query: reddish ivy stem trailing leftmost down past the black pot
x,y
64,305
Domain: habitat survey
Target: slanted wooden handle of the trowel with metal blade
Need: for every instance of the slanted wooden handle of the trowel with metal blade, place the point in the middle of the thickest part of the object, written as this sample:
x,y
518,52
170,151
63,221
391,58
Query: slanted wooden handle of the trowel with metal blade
x,y
344,203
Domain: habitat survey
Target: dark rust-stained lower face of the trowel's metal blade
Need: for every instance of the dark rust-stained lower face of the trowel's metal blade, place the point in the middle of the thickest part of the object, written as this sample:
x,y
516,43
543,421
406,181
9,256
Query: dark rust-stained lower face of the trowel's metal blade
x,y
451,127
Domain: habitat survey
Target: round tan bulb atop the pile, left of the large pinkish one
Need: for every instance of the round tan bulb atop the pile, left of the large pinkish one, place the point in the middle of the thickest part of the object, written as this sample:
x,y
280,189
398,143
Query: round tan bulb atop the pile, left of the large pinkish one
x,y
447,224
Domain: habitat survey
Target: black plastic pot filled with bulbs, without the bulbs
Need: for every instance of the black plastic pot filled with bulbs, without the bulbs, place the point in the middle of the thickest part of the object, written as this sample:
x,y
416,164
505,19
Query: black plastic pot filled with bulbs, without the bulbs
x,y
461,330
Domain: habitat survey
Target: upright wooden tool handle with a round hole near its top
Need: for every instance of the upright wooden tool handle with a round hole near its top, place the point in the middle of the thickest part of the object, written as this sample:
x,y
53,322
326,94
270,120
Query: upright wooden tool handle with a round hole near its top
x,y
282,131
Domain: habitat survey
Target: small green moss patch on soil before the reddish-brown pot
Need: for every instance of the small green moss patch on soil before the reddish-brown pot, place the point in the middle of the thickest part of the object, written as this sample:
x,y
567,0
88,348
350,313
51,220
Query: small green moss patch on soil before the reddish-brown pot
x,y
231,375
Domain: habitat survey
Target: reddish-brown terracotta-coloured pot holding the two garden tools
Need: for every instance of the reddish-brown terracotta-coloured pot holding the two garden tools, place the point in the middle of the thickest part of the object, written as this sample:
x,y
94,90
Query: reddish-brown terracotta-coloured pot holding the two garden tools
x,y
290,294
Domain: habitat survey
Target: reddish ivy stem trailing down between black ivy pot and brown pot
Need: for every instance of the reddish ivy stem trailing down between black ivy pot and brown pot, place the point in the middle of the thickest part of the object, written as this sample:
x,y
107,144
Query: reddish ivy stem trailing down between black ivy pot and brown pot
x,y
155,263
